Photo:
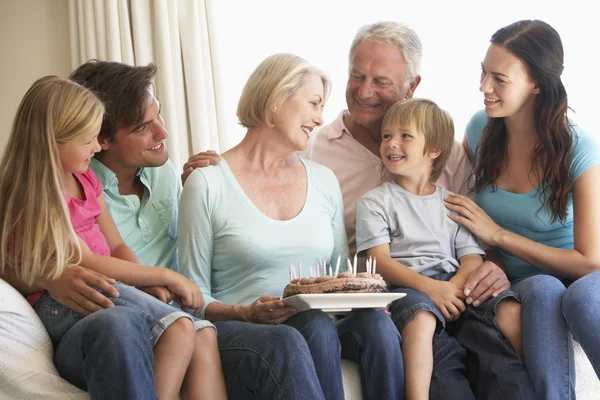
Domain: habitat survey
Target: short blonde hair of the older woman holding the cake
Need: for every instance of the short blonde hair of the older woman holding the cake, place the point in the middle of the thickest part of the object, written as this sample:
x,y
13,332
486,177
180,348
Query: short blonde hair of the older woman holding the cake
x,y
272,82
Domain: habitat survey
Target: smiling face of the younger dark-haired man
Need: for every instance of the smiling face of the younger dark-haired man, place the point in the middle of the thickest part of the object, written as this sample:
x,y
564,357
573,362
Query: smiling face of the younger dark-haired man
x,y
139,145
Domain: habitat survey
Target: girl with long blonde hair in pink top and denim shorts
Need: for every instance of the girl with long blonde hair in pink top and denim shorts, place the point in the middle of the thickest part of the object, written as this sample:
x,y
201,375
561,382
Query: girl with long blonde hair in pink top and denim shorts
x,y
53,216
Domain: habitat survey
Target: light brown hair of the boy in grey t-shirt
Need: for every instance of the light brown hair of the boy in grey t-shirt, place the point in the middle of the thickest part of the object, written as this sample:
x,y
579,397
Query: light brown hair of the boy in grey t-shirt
x,y
430,120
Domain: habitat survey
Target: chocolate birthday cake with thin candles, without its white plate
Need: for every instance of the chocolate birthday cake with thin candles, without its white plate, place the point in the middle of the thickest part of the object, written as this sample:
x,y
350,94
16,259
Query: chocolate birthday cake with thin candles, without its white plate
x,y
344,282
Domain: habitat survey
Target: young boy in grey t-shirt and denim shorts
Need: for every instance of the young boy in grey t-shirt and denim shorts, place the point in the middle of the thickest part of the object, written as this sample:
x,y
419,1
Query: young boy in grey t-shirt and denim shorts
x,y
404,224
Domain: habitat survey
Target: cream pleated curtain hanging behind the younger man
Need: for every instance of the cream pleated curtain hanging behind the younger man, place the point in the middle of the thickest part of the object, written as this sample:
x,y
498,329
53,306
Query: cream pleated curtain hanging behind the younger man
x,y
175,35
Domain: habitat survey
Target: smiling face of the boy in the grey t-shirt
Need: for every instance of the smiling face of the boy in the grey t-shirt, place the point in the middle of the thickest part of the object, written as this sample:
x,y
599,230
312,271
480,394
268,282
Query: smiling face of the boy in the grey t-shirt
x,y
402,151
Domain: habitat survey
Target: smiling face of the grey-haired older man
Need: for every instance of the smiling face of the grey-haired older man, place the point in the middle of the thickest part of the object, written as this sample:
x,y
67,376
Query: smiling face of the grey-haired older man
x,y
377,80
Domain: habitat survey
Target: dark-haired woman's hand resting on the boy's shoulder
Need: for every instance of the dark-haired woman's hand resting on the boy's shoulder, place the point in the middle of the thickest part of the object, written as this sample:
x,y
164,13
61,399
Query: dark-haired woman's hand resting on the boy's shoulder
x,y
473,218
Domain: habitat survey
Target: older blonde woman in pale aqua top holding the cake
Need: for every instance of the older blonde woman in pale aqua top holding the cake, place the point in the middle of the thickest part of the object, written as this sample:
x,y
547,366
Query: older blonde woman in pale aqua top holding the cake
x,y
243,221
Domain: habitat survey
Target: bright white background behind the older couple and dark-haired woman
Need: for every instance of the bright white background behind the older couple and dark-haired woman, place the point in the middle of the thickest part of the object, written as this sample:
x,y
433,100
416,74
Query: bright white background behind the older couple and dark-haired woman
x,y
455,36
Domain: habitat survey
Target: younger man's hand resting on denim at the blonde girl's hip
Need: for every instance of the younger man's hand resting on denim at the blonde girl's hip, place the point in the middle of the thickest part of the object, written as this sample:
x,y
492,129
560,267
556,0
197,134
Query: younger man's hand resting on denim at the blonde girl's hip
x,y
75,289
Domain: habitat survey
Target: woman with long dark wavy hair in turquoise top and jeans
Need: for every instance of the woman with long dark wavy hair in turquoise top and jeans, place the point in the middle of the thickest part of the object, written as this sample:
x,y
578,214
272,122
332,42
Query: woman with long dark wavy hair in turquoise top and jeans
x,y
536,202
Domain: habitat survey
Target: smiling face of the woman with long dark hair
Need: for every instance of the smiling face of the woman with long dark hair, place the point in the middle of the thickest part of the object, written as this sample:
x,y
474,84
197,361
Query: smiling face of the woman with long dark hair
x,y
505,84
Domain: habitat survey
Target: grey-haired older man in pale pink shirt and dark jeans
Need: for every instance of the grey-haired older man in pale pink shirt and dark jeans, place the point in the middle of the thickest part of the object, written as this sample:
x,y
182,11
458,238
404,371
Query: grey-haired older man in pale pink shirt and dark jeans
x,y
384,67
